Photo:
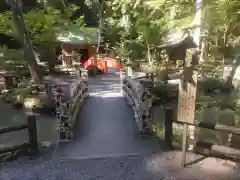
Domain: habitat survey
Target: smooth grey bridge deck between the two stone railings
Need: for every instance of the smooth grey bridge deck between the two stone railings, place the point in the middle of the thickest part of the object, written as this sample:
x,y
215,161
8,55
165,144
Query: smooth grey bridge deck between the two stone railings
x,y
105,126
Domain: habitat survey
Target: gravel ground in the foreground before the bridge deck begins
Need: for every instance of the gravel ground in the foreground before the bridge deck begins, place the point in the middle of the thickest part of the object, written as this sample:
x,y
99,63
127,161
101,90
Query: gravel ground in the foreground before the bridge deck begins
x,y
163,166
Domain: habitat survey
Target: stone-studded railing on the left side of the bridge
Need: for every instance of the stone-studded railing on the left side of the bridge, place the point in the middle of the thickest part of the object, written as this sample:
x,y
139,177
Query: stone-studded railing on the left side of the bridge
x,y
69,97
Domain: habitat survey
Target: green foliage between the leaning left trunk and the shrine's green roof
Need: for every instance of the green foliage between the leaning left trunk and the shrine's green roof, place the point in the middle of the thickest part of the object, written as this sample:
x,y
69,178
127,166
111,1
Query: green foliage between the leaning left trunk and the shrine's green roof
x,y
43,24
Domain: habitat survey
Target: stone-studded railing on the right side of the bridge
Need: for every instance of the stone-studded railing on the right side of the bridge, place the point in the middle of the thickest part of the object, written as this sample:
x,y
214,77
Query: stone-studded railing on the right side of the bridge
x,y
139,95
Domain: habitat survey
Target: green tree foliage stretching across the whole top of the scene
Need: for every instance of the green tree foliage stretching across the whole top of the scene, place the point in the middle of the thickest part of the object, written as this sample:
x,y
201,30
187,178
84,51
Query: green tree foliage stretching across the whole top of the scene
x,y
134,29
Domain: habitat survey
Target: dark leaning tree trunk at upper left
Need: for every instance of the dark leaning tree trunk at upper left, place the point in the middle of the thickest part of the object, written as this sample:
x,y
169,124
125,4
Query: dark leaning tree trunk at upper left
x,y
26,44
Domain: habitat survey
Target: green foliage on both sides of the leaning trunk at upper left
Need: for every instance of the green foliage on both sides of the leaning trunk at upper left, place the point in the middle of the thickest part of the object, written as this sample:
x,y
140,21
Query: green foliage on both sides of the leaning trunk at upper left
x,y
43,23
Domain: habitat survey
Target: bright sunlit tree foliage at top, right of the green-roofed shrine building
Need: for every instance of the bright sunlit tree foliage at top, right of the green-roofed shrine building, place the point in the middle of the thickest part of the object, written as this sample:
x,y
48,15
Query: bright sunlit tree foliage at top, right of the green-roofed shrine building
x,y
134,28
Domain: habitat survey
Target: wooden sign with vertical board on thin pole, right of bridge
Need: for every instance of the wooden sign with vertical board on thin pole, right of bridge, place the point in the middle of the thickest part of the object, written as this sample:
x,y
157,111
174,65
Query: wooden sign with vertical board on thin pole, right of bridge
x,y
186,105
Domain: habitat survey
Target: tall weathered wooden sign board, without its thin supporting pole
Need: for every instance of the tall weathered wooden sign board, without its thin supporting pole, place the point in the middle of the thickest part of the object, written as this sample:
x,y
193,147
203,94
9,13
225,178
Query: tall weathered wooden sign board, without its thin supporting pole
x,y
187,97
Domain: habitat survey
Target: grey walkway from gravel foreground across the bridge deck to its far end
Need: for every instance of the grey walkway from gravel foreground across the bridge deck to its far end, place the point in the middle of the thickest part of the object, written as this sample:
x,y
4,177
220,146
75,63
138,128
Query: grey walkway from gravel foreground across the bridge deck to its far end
x,y
108,147
